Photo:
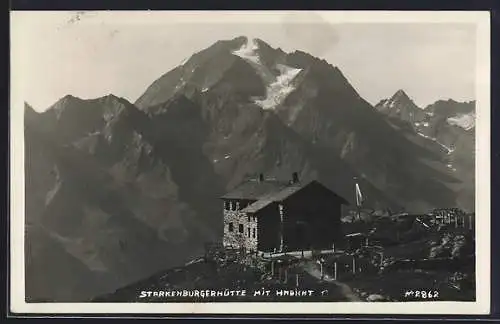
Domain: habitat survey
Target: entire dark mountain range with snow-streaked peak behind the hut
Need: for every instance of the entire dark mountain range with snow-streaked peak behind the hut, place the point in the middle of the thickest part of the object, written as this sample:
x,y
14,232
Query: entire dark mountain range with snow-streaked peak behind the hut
x,y
116,191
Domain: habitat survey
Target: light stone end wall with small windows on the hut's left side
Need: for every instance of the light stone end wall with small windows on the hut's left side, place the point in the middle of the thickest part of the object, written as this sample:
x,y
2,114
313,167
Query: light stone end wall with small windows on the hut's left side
x,y
235,238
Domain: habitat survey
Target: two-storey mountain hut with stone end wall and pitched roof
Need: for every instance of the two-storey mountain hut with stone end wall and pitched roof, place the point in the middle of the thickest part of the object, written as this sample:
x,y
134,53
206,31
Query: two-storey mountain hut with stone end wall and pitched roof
x,y
267,215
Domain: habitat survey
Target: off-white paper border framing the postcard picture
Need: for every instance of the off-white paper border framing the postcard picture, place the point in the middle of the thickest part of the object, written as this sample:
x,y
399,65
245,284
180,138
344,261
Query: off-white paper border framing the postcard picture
x,y
480,306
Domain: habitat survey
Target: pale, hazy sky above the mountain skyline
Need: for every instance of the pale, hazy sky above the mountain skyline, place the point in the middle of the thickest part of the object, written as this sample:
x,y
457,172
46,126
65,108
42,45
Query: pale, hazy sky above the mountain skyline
x,y
92,54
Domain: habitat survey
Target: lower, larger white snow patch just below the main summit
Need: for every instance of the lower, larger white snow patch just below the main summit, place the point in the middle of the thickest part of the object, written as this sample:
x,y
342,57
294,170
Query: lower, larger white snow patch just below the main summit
x,y
279,89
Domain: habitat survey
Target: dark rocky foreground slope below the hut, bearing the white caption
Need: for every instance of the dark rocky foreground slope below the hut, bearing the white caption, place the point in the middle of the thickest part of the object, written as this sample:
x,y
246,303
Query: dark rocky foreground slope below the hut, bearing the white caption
x,y
437,266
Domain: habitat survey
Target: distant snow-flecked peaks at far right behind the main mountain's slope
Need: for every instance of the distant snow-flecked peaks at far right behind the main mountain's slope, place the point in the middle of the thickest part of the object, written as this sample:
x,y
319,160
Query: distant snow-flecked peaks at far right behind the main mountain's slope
x,y
447,123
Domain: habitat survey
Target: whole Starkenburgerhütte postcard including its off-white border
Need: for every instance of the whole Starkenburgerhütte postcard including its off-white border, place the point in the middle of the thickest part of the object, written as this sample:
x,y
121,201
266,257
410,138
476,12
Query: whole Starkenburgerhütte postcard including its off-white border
x,y
250,162
